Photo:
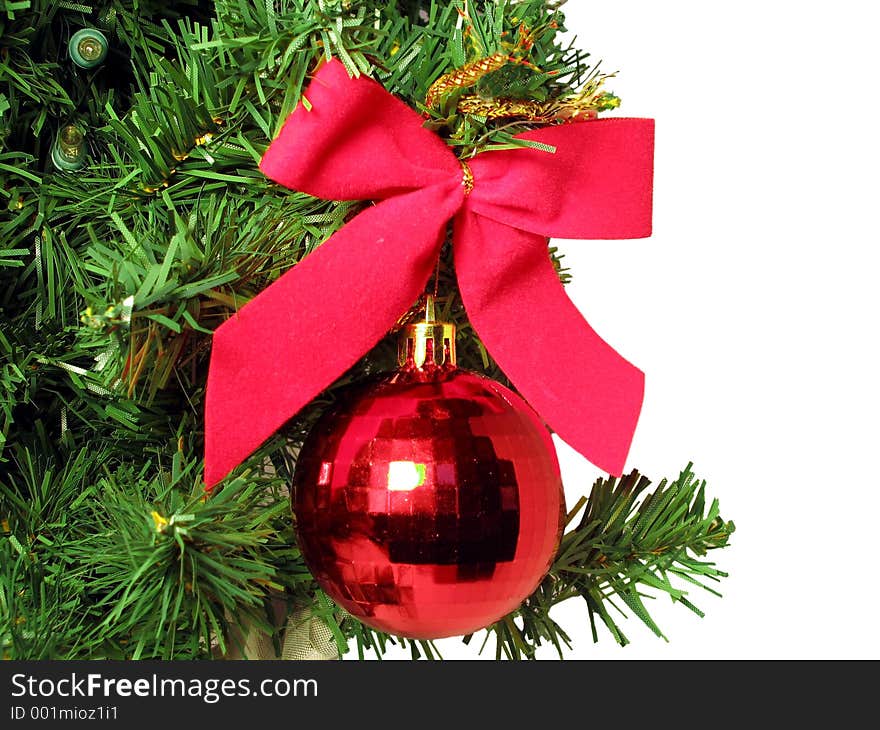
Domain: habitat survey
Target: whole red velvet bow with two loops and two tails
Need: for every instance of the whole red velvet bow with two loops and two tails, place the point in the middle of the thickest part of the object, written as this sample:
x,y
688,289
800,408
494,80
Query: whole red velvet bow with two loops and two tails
x,y
358,142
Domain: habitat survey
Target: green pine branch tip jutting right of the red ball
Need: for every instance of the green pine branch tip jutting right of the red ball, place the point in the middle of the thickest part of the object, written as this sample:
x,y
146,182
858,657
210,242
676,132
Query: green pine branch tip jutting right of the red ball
x,y
627,540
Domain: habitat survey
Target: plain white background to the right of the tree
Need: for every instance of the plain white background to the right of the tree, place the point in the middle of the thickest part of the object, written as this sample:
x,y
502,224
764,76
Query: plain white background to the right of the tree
x,y
753,311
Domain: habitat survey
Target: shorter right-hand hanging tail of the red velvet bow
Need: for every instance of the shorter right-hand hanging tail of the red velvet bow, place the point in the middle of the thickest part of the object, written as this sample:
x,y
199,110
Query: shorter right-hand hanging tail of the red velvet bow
x,y
585,391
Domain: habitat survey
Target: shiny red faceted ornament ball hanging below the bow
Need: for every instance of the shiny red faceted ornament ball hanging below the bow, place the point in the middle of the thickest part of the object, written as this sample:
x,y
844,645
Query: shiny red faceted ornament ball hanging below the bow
x,y
429,502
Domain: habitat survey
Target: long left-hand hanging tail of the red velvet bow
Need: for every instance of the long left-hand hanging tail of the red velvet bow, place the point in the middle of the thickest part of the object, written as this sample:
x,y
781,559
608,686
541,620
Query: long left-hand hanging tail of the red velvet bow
x,y
293,340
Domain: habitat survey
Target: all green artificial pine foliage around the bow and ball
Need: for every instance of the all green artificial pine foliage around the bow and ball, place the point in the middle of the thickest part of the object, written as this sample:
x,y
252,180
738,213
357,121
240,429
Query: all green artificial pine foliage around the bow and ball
x,y
114,275
